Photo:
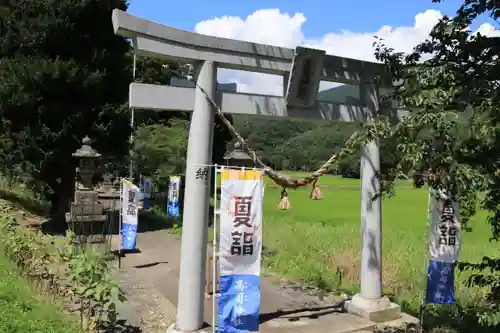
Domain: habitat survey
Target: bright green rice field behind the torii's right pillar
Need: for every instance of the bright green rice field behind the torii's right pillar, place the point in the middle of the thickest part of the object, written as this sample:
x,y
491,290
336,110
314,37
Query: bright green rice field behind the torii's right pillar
x,y
318,242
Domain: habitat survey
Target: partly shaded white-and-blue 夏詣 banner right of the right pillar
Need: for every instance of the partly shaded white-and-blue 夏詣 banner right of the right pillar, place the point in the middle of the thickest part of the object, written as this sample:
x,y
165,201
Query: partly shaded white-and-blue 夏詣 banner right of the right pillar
x,y
444,249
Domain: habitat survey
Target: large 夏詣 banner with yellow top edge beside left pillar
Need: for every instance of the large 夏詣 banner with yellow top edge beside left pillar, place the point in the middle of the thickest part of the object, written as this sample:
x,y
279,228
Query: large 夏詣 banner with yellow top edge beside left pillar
x,y
242,193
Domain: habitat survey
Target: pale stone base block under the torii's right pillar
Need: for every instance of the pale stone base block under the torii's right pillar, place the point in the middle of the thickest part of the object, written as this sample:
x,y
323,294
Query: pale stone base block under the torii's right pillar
x,y
376,310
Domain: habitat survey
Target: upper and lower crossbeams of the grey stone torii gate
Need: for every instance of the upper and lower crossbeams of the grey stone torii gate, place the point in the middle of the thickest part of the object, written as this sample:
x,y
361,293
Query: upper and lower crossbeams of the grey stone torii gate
x,y
159,41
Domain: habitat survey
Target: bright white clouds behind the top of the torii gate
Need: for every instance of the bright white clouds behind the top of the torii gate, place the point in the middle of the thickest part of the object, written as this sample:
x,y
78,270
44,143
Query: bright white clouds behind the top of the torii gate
x,y
271,26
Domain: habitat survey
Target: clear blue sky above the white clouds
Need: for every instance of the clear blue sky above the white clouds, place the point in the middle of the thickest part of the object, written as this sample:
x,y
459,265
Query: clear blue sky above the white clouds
x,y
323,16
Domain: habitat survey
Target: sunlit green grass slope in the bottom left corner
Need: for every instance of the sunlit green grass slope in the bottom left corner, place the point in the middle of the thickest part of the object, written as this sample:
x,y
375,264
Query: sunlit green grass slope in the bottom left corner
x,y
22,310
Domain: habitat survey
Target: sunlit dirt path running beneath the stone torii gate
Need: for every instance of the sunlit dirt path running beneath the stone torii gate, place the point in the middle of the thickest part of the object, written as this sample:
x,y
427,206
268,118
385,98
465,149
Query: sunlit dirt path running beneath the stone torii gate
x,y
285,307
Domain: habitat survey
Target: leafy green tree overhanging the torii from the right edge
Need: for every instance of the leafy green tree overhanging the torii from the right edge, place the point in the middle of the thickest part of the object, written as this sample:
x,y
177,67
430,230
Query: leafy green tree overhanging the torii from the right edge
x,y
450,85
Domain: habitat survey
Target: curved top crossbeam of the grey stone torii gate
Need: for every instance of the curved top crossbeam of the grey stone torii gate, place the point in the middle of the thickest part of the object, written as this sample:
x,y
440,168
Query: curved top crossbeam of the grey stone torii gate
x,y
161,41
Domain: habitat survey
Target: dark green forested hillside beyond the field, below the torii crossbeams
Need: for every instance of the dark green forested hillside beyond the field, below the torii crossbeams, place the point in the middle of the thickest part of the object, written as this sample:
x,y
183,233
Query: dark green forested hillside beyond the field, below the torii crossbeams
x,y
283,143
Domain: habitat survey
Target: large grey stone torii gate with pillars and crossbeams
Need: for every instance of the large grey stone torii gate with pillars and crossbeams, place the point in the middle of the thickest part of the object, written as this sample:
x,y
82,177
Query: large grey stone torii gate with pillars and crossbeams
x,y
302,69
